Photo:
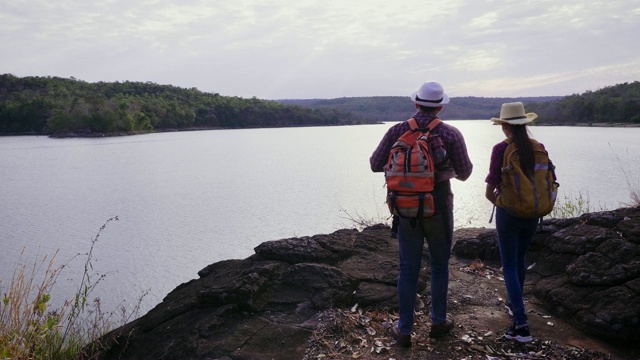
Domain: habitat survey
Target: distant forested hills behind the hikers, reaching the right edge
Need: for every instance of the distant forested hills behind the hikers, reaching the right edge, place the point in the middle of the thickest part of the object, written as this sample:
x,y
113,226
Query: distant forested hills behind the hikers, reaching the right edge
x,y
615,104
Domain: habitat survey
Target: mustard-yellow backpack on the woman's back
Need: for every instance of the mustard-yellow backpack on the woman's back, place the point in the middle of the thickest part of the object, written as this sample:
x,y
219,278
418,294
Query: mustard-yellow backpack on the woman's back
x,y
525,197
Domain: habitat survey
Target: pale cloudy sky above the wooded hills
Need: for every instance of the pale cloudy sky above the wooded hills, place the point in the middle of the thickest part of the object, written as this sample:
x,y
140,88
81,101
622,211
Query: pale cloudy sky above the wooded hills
x,y
328,48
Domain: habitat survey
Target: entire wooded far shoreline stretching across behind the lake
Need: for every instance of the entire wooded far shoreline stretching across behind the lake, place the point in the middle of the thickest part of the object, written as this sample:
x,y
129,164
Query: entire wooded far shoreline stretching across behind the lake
x,y
59,107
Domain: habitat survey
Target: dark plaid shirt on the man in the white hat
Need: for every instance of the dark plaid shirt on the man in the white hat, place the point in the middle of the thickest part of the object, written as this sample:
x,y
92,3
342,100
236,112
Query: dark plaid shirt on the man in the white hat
x,y
451,137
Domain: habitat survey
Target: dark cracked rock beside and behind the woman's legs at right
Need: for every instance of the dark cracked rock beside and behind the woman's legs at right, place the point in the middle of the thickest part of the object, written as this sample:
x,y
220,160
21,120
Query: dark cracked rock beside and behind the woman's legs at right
x,y
585,270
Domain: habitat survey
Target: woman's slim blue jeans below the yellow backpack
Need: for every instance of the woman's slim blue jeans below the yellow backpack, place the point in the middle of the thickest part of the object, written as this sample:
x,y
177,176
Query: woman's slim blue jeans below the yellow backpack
x,y
514,237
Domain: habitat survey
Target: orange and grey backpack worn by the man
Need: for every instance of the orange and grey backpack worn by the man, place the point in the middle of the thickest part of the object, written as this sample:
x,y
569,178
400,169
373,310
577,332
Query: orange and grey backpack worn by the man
x,y
410,172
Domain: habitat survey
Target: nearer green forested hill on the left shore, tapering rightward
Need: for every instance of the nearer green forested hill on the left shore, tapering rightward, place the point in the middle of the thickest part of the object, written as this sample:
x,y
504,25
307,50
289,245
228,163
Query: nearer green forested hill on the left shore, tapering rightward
x,y
59,106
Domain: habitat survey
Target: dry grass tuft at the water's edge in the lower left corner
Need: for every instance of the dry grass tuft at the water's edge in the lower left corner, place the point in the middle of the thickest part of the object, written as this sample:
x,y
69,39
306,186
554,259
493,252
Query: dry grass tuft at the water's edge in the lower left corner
x,y
30,329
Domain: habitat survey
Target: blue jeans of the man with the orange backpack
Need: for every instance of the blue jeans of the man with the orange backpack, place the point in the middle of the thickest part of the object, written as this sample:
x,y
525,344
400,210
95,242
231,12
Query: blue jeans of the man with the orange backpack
x,y
438,232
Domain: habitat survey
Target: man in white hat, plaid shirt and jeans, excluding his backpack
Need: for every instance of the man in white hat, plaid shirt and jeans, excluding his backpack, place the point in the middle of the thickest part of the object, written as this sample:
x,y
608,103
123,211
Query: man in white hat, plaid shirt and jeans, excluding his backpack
x,y
437,230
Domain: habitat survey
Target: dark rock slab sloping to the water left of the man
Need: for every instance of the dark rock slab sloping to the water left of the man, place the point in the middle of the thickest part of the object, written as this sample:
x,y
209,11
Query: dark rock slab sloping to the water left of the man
x,y
265,306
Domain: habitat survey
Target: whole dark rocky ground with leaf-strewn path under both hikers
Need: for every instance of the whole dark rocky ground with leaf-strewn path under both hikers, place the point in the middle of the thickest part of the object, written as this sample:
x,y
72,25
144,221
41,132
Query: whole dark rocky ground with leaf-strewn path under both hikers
x,y
333,296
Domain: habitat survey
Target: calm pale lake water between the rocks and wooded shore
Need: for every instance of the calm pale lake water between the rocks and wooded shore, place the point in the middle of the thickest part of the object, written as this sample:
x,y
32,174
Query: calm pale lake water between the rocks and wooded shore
x,y
189,199
